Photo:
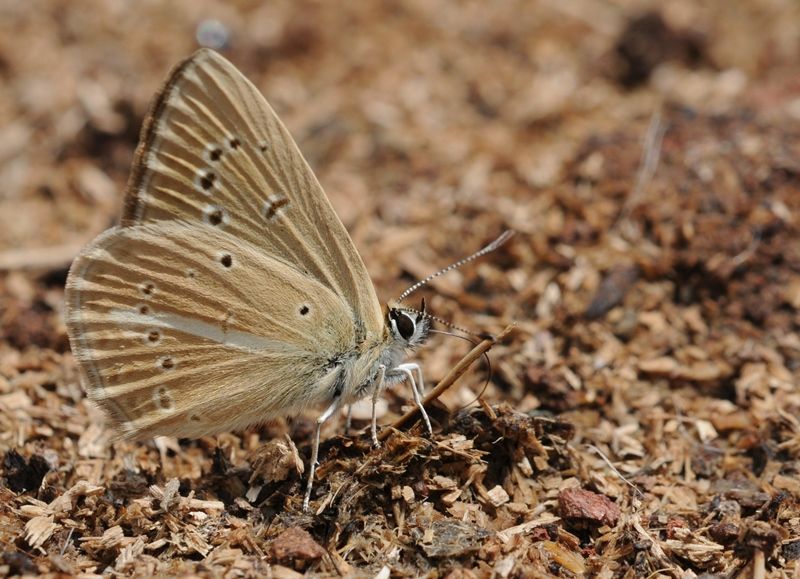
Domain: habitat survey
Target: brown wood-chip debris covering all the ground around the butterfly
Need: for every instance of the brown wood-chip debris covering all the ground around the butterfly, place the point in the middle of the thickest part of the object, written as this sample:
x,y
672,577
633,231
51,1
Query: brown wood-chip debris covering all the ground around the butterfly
x,y
642,420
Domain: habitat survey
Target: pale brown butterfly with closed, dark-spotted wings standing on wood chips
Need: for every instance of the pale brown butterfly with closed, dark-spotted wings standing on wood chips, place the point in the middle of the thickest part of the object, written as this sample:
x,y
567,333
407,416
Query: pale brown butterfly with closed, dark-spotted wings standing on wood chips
x,y
230,293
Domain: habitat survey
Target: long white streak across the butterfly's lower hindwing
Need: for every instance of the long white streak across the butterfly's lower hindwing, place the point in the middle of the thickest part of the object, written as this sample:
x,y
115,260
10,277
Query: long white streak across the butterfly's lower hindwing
x,y
214,332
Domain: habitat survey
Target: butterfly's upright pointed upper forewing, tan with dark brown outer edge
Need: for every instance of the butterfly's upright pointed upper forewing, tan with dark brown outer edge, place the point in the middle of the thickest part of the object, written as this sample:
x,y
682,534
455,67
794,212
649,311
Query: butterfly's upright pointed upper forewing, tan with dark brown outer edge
x,y
213,151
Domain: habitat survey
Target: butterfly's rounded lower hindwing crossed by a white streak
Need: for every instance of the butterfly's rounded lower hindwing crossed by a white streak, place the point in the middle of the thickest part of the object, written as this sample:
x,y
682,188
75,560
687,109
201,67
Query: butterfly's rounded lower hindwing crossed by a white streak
x,y
184,329
